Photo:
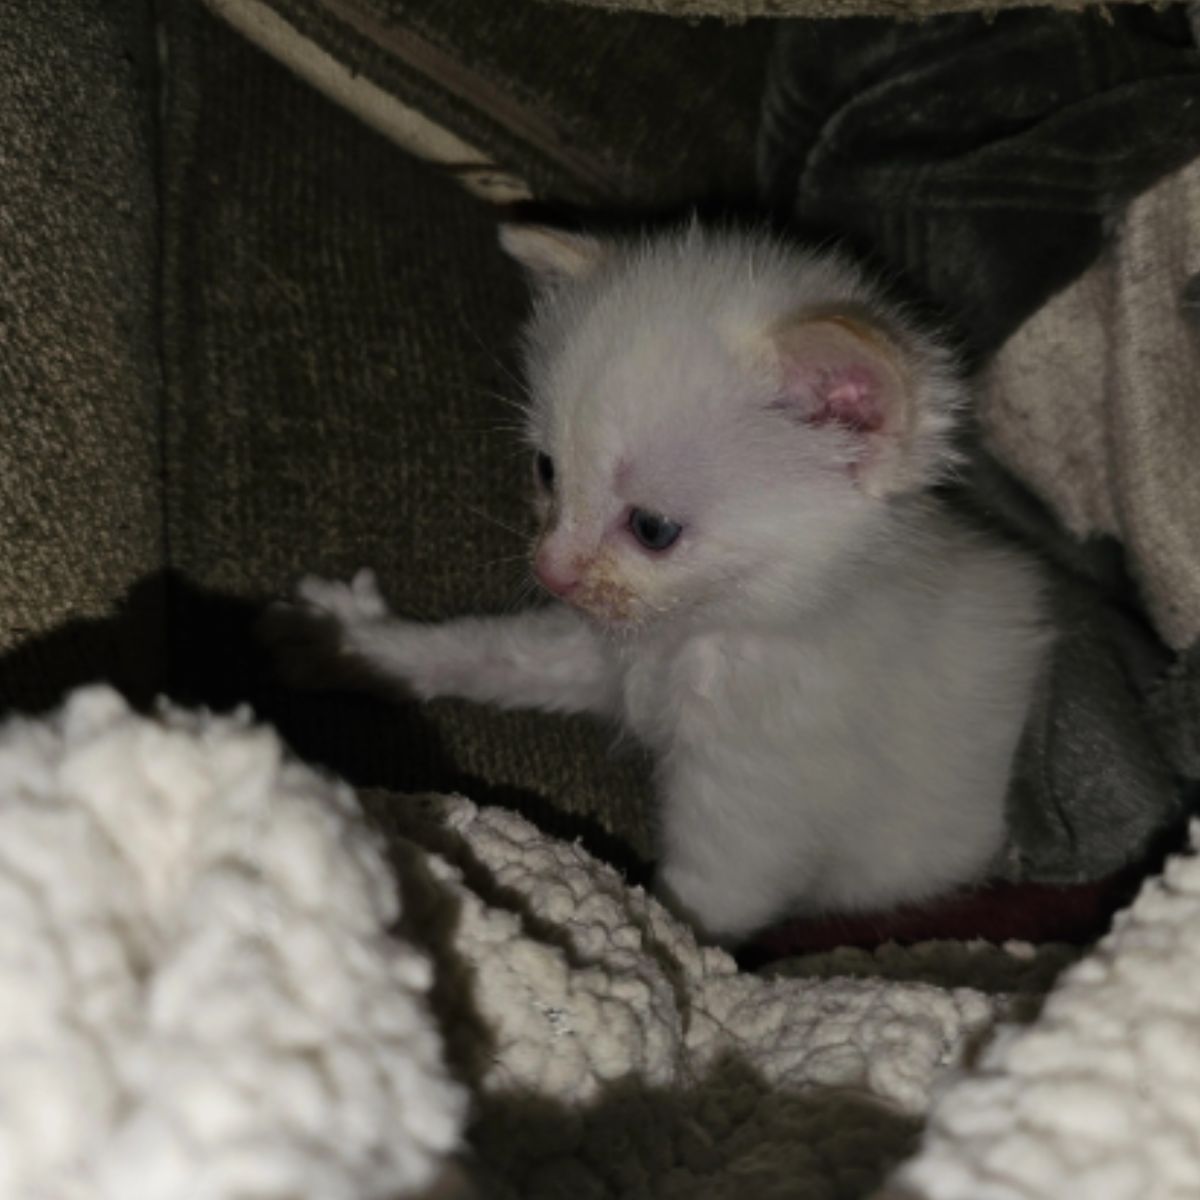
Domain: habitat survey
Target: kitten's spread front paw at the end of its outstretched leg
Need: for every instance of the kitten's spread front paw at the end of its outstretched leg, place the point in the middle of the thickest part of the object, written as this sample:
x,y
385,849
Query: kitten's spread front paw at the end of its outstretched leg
x,y
316,640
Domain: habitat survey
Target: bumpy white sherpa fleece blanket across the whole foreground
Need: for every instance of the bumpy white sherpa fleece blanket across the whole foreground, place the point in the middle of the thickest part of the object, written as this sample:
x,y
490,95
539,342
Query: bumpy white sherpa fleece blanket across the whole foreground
x,y
218,983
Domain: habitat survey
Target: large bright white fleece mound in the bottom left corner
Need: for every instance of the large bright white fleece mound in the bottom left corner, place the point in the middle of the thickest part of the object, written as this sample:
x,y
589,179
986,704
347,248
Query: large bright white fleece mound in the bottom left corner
x,y
199,989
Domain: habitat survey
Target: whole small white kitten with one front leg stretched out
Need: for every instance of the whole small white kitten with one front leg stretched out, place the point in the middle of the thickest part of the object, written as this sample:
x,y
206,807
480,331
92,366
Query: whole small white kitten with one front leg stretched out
x,y
734,448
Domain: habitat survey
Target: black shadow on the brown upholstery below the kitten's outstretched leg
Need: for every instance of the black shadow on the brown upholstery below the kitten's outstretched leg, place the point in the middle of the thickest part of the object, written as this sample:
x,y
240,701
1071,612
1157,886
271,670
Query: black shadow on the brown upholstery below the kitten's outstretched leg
x,y
170,638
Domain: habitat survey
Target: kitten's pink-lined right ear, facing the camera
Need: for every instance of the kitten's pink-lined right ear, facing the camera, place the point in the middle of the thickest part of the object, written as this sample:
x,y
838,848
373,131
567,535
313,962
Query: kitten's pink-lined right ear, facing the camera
x,y
895,405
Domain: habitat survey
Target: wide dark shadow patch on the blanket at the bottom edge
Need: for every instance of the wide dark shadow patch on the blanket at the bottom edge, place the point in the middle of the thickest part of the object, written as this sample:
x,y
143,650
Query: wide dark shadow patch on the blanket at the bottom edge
x,y
638,1141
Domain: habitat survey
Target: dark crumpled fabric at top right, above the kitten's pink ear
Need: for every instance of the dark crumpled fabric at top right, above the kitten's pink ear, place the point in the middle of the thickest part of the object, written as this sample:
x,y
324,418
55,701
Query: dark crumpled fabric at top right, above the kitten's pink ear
x,y
983,158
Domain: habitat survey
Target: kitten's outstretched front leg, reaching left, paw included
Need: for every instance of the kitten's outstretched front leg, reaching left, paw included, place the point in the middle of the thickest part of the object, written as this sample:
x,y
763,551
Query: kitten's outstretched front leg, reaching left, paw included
x,y
545,658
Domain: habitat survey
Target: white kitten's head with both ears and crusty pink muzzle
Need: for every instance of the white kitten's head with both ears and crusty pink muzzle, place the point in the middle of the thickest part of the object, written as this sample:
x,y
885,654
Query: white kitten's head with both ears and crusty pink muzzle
x,y
718,421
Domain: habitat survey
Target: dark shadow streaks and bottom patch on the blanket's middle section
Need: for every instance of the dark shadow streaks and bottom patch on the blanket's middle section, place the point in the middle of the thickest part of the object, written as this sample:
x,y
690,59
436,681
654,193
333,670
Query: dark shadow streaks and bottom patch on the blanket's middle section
x,y
633,1139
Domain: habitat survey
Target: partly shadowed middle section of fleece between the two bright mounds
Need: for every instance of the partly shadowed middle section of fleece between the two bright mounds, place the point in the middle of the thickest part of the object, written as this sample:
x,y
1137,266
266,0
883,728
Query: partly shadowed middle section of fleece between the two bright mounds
x,y
614,1058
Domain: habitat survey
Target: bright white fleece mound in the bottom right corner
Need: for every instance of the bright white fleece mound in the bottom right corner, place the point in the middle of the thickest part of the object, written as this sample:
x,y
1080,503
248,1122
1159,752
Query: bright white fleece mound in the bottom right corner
x,y
1099,1097
